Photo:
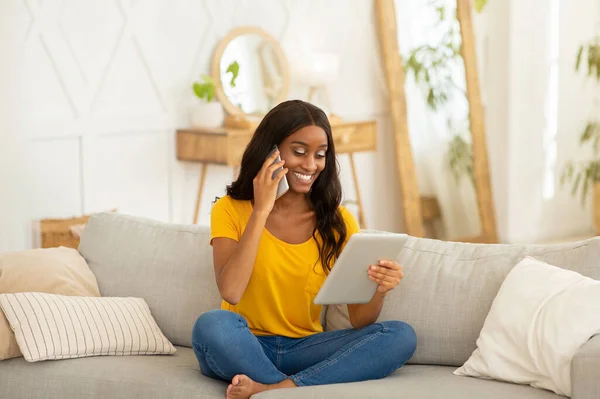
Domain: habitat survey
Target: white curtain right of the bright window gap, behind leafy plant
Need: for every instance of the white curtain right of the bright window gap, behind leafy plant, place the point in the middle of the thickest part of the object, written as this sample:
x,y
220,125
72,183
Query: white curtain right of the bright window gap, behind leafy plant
x,y
576,104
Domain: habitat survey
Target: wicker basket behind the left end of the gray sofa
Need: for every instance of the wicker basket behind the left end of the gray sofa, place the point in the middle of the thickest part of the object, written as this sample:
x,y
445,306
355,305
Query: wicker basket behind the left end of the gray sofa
x,y
59,232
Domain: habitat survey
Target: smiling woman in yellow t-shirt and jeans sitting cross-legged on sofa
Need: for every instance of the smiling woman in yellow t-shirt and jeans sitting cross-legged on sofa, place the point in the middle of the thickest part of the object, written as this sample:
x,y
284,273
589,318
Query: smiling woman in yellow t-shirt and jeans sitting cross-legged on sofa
x,y
271,256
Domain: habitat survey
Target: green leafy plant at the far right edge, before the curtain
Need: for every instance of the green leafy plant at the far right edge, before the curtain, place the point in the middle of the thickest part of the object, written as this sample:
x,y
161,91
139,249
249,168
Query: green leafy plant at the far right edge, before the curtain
x,y
584,176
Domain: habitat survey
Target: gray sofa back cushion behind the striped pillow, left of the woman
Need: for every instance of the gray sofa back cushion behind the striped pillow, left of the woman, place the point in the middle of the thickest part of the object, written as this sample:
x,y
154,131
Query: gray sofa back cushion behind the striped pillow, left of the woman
x,y
168,265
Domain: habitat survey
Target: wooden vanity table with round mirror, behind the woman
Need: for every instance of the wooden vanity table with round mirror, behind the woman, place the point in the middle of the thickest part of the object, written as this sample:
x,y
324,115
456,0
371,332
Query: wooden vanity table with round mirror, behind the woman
x,y
263,81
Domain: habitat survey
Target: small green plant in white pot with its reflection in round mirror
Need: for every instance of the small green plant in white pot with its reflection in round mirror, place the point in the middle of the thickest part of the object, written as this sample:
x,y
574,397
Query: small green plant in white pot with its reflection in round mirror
x,y
209,113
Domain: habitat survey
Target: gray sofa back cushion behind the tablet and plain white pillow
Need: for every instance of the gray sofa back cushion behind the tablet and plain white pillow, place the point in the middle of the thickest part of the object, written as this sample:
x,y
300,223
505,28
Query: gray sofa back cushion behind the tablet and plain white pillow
x,y
448,289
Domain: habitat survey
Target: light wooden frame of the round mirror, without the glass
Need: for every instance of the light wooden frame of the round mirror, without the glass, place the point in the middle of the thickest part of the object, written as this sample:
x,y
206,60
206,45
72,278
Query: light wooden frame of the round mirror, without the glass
x,y
230,108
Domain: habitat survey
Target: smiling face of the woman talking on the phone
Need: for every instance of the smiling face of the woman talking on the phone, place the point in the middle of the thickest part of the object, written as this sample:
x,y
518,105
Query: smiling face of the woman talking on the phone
x,y
304,154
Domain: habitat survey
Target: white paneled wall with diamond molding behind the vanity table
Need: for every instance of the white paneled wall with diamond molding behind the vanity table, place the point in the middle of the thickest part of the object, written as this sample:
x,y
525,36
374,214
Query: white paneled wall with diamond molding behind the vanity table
x,y
106,84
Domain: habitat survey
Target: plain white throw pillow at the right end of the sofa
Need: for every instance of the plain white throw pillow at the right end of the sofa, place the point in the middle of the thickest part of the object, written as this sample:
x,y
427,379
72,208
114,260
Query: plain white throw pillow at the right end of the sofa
x,y
540,317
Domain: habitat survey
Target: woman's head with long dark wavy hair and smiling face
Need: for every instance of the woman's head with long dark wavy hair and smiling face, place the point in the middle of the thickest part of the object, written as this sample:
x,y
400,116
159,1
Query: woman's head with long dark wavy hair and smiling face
x,y
303,134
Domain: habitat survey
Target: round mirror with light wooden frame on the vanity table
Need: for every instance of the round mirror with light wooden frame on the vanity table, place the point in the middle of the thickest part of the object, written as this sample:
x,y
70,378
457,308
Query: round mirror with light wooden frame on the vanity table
x,y
250,72
